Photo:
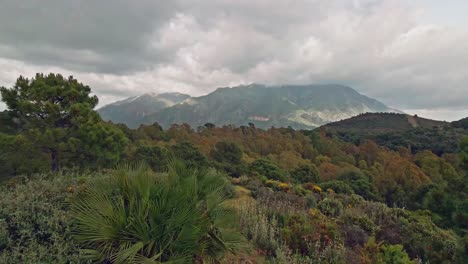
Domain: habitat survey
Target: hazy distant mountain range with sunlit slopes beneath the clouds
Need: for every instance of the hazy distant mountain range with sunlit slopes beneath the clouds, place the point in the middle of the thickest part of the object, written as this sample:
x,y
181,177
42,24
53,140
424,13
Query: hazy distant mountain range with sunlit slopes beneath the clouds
x,y
298,106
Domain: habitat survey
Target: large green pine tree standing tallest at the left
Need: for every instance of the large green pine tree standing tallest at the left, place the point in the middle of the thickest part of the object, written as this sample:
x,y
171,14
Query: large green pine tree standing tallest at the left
x,y
56,114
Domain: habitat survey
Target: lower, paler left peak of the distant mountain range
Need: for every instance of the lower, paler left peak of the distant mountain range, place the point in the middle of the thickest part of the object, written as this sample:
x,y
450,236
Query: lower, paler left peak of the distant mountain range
x,y
131,110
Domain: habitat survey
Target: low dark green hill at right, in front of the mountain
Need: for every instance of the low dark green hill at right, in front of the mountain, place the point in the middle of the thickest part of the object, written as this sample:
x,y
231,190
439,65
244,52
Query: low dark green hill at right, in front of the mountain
x,y
399,130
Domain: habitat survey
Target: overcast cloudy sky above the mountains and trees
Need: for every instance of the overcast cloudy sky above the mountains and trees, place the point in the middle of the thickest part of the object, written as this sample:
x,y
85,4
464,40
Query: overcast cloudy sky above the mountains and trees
x,y
410,55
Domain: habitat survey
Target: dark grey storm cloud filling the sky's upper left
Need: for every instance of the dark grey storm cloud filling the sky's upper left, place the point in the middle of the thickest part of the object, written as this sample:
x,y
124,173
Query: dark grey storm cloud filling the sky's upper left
x,y
101,36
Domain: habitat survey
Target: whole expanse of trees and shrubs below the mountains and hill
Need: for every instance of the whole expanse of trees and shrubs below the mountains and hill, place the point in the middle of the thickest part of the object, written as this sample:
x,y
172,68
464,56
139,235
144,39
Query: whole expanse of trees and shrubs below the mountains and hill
x,y
76,189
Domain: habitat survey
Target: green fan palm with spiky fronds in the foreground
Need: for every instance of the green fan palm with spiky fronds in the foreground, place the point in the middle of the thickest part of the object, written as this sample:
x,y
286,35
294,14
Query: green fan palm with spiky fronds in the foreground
x,y
137,216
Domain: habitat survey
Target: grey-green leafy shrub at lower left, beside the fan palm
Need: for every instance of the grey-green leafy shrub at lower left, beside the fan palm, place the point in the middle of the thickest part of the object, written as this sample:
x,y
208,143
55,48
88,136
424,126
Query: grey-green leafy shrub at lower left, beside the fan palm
x,y
35,223
